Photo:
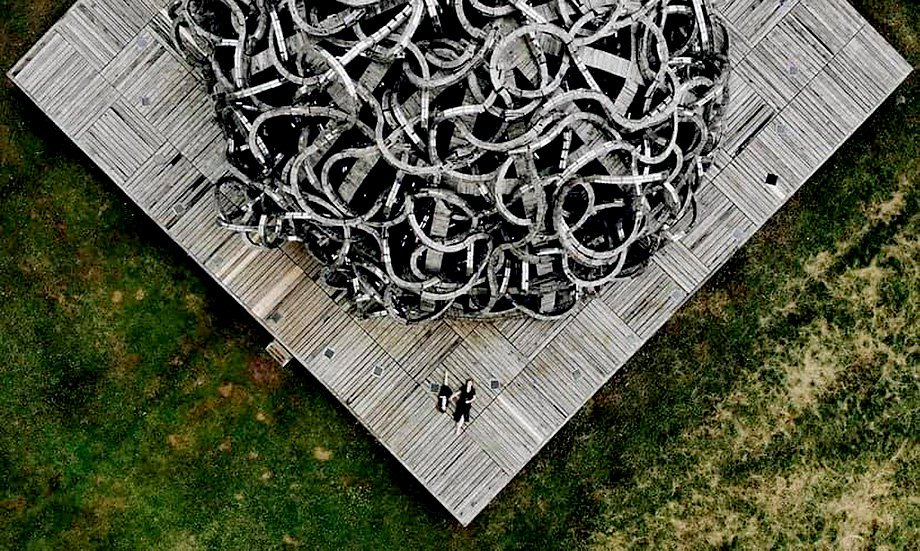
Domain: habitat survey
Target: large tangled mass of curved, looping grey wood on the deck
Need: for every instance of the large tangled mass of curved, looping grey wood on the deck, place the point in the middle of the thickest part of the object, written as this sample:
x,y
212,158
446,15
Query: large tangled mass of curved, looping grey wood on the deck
x,y
462,157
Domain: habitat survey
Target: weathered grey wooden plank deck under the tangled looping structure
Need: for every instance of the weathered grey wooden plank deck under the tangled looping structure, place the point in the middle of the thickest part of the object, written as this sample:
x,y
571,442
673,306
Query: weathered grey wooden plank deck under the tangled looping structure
x,y
807,73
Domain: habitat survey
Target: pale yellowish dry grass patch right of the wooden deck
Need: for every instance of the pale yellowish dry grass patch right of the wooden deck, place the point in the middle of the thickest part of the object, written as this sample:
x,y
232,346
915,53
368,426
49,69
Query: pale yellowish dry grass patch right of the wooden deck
x,y
796,493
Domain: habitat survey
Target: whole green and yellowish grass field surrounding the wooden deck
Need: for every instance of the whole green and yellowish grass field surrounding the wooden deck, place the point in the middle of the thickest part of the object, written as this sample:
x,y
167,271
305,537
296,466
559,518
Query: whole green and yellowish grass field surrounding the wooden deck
x,y
779,408
